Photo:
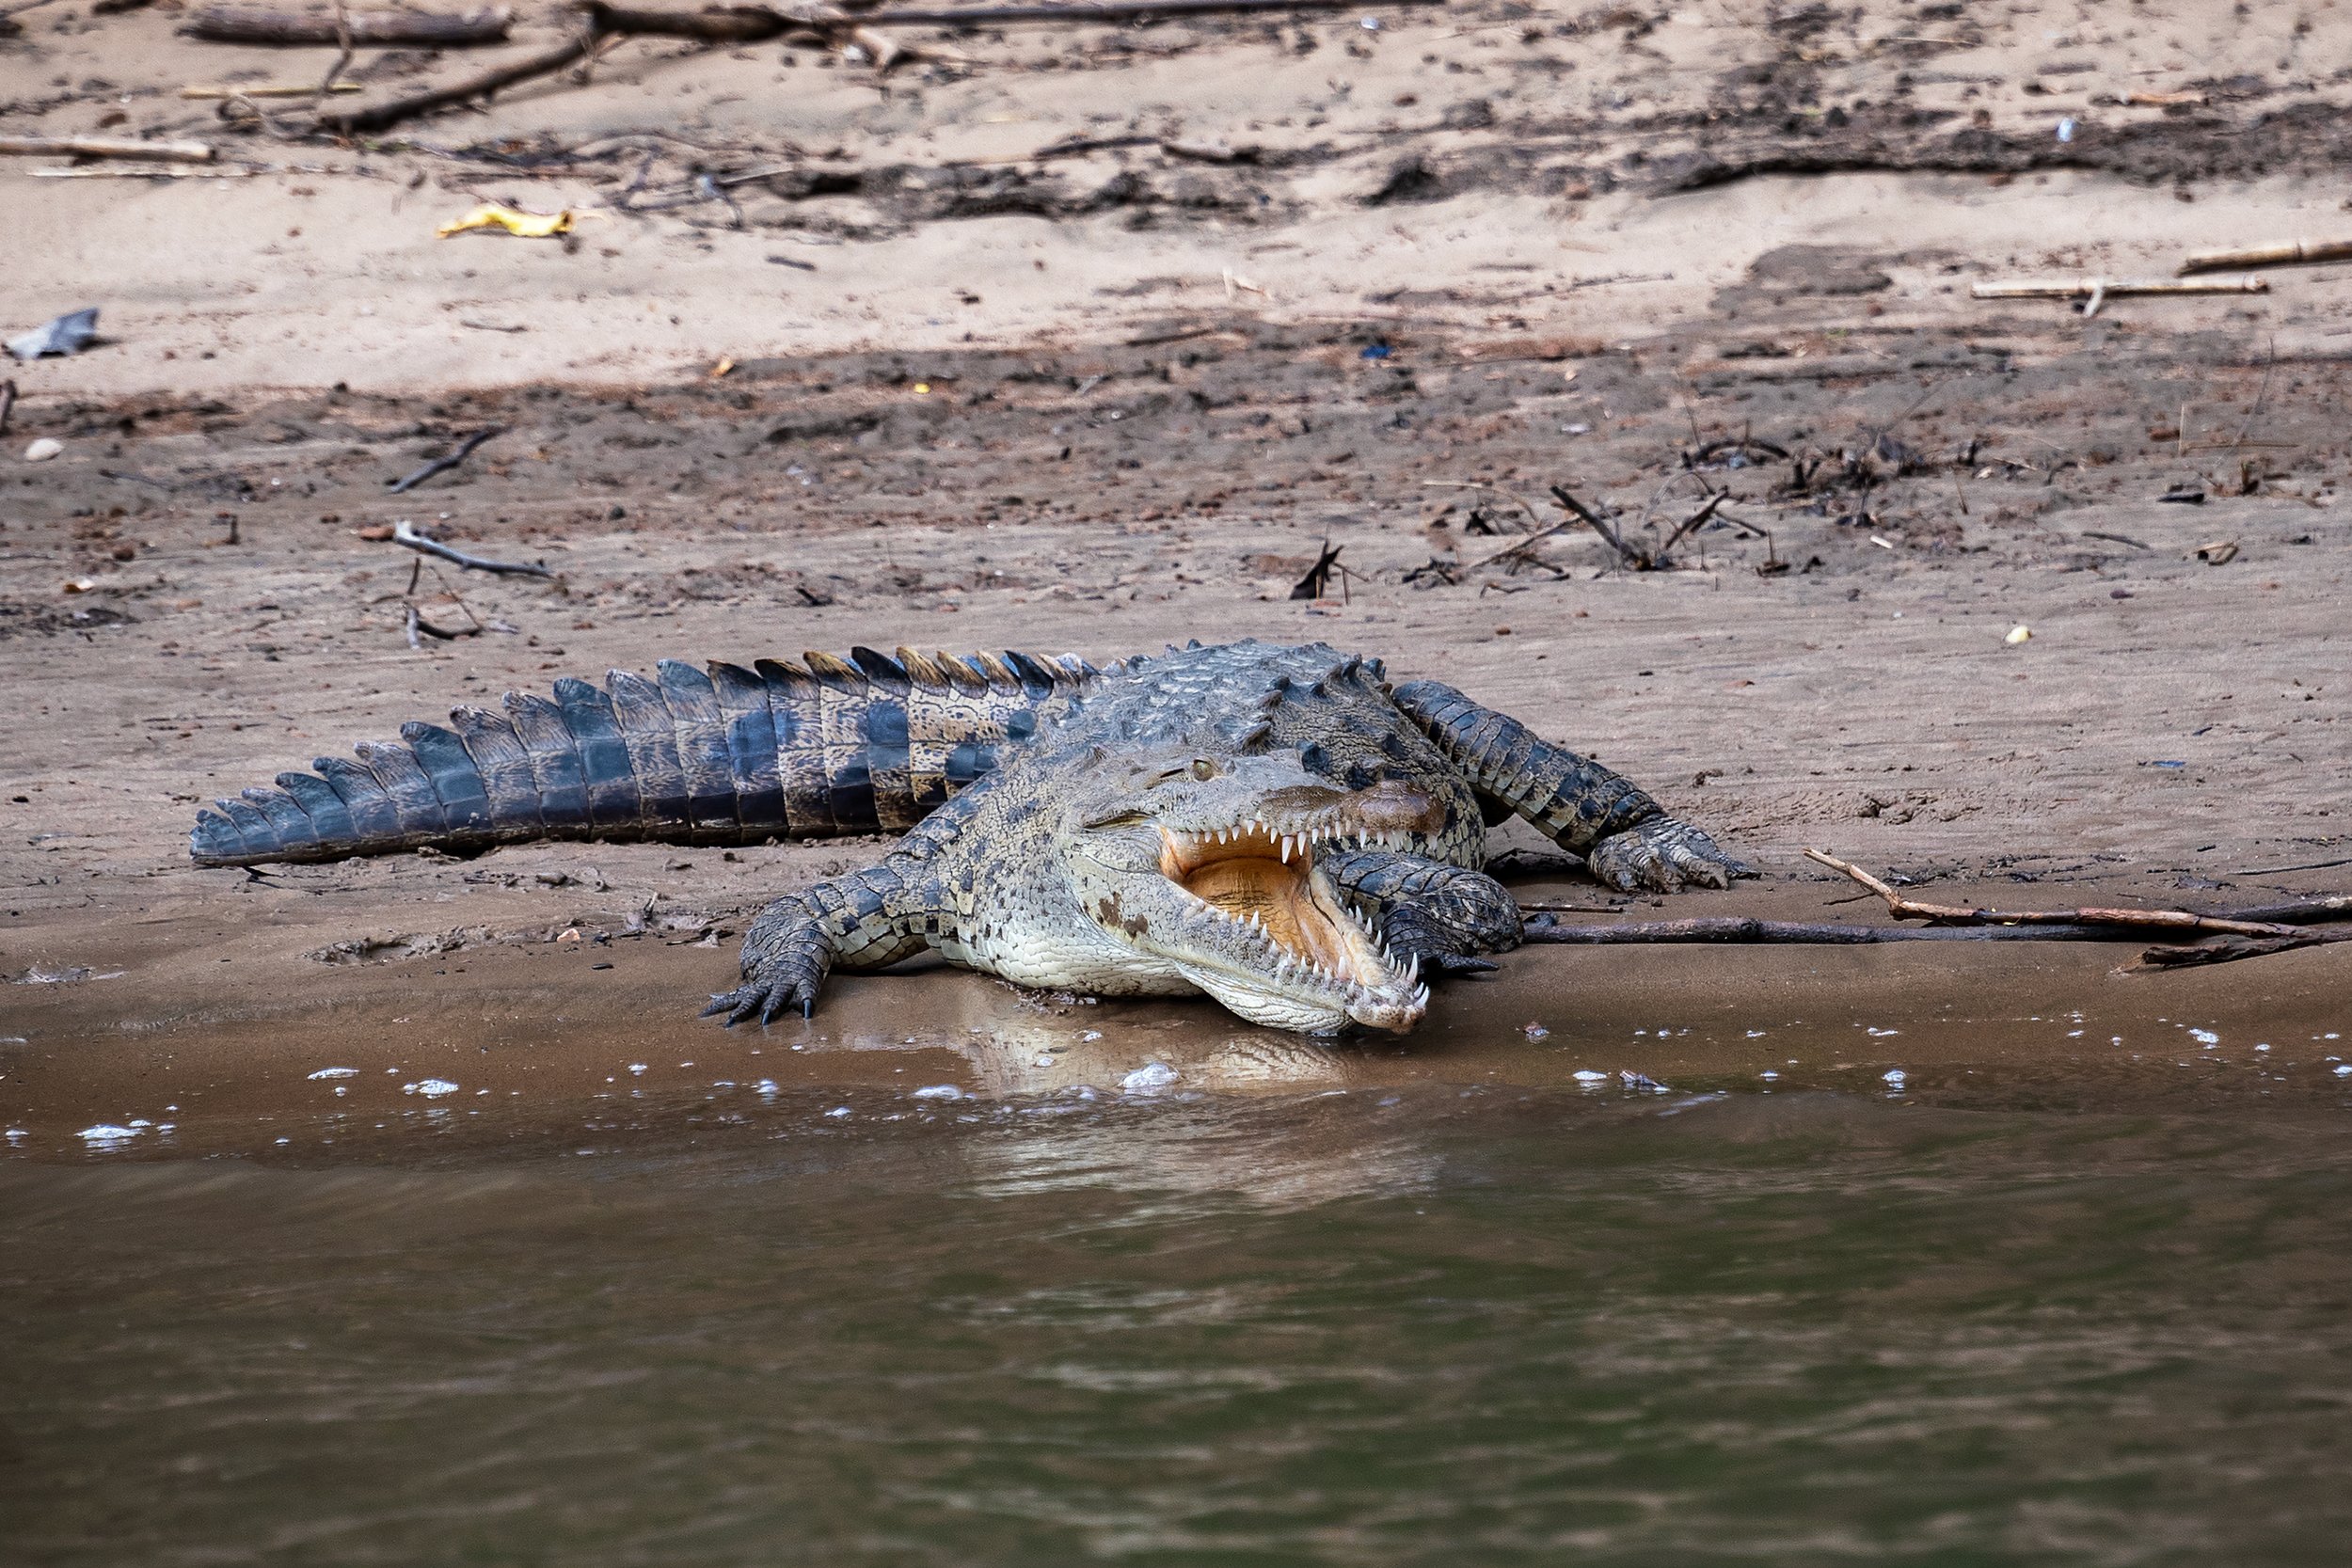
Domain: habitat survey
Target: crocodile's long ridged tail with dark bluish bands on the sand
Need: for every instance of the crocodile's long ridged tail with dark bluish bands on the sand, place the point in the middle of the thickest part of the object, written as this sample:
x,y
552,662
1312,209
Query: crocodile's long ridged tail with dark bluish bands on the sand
x,y
719,756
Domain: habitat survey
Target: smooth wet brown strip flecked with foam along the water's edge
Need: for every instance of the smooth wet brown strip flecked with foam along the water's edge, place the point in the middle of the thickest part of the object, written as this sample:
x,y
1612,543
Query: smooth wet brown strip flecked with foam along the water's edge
x,y
582,1050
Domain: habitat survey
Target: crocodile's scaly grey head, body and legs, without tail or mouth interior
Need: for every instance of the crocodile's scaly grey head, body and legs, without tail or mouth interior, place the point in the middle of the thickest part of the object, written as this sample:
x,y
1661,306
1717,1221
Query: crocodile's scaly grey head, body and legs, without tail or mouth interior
x,y
1022,878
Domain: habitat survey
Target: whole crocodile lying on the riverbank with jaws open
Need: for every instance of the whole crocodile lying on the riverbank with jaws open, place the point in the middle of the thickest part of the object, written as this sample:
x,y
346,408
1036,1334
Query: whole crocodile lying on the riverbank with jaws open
x,y
1276,826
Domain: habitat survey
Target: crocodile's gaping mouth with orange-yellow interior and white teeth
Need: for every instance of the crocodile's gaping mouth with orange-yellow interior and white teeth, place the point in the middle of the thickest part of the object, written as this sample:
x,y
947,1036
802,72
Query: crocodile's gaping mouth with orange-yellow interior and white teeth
x,y
1288,932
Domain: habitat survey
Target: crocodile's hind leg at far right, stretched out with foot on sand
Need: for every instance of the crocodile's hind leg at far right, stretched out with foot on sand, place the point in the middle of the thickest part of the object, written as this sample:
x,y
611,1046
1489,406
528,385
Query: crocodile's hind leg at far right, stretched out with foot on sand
x,y
1624,836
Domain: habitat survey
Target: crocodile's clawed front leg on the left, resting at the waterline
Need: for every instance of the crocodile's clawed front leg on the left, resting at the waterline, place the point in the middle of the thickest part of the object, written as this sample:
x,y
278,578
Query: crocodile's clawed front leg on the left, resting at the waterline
x,y
864,920
